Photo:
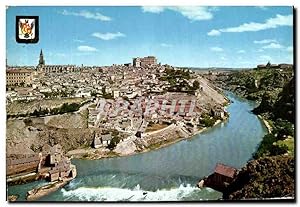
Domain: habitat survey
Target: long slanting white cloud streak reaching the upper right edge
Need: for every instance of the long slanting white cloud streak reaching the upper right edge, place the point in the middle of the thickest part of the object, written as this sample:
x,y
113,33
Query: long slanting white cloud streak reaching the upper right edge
x,y
278,21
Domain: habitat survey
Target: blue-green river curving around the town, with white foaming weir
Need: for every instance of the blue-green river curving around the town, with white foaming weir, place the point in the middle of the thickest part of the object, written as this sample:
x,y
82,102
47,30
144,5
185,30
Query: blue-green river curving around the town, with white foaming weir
x,y
167,174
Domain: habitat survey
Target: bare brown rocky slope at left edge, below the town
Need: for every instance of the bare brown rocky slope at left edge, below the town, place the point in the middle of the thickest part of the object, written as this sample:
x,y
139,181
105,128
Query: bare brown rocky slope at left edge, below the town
x,y
29,135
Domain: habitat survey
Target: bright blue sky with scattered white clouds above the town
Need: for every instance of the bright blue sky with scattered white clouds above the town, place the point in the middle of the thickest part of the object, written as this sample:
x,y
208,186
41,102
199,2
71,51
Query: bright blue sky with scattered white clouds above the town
x,y
234,37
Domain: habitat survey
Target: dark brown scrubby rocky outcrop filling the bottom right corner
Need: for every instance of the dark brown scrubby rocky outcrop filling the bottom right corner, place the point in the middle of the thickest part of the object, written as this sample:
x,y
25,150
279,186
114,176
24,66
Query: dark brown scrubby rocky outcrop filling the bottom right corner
x,y
267,177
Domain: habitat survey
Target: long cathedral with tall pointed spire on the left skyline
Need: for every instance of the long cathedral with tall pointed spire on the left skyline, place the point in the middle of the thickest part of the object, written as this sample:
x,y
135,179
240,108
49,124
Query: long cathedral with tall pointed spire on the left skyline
x,y
42,67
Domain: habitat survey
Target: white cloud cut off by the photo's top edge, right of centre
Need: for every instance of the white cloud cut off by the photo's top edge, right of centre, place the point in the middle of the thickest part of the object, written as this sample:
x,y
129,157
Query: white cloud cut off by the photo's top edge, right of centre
x,y
194,13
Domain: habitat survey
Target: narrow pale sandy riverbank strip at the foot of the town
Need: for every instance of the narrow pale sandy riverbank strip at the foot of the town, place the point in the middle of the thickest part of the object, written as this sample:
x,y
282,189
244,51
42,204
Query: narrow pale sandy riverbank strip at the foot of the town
x,y
101,153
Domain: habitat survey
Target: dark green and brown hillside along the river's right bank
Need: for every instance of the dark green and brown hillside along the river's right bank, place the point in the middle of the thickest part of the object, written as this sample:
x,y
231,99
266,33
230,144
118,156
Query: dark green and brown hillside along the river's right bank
x,y
271,173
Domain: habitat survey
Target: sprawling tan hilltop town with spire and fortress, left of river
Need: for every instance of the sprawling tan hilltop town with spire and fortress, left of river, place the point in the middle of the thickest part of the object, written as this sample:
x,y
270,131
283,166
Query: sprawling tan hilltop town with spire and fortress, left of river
x,y
102,111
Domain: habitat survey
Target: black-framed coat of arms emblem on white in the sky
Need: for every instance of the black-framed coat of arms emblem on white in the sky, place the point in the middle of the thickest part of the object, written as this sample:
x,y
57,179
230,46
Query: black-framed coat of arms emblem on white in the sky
x,y
27,29
